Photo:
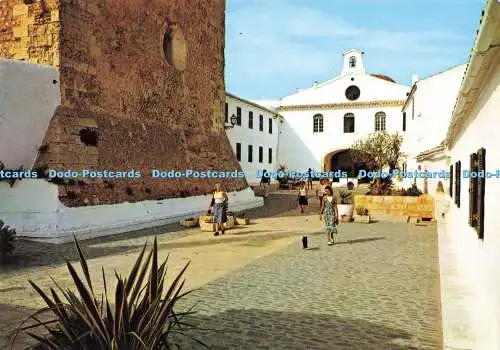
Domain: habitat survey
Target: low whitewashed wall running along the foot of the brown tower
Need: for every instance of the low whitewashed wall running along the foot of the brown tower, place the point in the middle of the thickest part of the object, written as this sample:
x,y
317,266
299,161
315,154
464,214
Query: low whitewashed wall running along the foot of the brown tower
x,y
33,208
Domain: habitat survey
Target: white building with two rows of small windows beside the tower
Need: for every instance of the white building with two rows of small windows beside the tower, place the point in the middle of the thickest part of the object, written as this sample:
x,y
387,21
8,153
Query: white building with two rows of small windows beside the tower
x,y
255,137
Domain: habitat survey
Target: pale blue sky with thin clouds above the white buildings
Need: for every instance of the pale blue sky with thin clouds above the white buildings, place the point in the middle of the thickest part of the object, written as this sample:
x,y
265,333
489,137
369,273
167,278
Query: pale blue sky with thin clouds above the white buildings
x,y
274,47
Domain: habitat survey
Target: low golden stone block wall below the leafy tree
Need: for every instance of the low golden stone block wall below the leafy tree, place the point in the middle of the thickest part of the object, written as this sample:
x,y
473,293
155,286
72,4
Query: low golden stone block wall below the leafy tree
x,y
404,206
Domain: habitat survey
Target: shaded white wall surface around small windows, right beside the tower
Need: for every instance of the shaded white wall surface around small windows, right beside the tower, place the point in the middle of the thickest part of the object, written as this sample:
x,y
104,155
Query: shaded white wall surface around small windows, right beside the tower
x,y
246,136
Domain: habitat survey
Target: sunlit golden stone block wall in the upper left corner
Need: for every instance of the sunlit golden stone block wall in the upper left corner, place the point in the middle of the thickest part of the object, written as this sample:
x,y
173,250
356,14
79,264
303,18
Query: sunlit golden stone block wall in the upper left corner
x,y
30,32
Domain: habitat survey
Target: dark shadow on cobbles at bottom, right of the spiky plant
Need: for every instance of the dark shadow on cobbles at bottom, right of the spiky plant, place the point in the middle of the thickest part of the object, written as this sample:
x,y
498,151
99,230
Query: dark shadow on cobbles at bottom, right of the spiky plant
x,y
262,329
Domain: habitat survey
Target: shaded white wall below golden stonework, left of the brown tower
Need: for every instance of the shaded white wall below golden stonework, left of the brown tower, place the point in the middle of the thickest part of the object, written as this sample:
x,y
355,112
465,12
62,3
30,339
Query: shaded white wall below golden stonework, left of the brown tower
x,y
28,99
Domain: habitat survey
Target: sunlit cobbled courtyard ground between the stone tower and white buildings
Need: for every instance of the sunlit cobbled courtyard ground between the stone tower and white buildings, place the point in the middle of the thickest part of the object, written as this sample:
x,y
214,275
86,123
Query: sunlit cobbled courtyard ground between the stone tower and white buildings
x,y
378,288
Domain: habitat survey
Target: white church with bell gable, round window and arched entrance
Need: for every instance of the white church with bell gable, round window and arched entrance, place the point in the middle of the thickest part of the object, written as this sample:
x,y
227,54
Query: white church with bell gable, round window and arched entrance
x,y
322,122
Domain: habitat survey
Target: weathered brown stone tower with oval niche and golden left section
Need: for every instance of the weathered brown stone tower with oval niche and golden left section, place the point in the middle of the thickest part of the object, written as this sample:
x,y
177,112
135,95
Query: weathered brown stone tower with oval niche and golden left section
x,y
141,84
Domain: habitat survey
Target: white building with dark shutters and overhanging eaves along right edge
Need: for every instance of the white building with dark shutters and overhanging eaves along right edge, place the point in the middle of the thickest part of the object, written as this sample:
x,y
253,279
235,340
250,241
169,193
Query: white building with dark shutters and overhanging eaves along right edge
x,y
469,237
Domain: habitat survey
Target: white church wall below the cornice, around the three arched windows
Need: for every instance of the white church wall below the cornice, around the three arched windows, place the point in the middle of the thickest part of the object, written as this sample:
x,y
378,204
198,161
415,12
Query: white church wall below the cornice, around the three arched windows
x,y
301,148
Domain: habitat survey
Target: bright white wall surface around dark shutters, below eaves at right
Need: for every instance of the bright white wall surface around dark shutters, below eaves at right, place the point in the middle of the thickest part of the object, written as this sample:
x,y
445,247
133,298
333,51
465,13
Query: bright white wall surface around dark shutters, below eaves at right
x,y
478,262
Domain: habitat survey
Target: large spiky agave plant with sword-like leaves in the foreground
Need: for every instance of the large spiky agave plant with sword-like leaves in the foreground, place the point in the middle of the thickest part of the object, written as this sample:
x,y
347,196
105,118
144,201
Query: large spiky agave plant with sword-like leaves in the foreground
x,y
143,316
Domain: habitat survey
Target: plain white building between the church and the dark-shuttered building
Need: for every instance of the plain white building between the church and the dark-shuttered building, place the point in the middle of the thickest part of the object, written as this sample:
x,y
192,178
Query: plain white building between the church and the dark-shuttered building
x,y
427,112
